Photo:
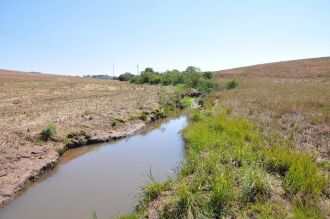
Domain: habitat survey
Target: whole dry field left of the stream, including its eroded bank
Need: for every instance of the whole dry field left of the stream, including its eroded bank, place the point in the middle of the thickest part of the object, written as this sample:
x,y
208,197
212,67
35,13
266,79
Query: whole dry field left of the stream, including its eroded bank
x,y
82,110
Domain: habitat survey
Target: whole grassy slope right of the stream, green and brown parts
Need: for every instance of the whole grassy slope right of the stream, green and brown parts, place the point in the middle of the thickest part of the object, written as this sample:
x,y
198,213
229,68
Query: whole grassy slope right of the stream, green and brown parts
x,y
260,150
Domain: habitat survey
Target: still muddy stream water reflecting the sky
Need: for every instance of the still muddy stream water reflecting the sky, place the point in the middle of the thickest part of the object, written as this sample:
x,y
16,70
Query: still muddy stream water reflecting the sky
x,y
106,178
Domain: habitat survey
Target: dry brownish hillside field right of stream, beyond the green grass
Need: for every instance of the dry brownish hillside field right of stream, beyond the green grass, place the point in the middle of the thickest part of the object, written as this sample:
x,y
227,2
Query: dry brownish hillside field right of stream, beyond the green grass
x,y
290,97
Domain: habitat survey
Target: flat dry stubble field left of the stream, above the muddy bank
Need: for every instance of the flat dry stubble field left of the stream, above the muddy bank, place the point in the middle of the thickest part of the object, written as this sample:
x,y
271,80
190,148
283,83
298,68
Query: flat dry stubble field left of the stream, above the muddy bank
x,y
29,102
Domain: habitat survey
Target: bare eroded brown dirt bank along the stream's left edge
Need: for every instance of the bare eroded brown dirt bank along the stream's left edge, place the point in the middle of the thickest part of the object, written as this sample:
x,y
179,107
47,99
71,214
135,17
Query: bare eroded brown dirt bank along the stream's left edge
x,y
20,167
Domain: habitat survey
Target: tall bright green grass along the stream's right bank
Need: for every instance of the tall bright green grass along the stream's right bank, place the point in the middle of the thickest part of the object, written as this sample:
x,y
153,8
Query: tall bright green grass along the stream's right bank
x,y
229,166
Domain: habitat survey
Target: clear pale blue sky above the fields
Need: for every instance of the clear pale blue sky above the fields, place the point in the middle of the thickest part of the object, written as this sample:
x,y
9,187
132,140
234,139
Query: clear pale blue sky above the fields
x,y
87,37
